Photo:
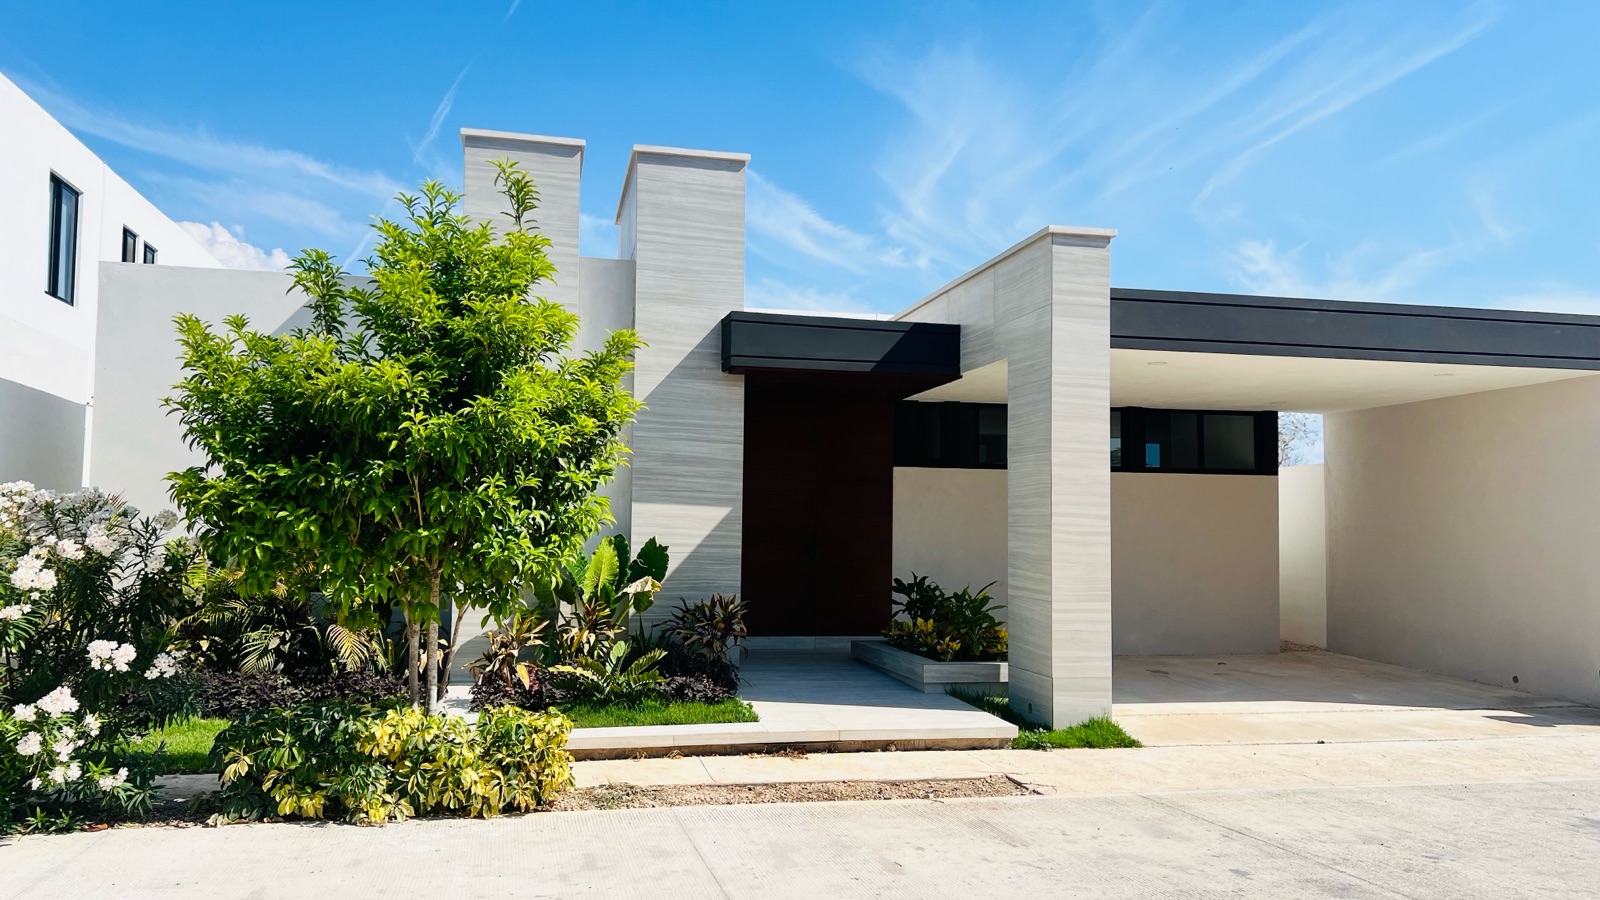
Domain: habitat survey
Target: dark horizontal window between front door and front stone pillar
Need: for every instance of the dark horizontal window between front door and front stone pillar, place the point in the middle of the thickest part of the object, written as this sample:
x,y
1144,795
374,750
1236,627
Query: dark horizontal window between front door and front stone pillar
x,y
950,436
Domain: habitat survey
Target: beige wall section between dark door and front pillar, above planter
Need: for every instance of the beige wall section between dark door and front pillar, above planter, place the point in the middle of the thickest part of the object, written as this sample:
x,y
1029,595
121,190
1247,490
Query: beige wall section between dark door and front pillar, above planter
x,y
950,524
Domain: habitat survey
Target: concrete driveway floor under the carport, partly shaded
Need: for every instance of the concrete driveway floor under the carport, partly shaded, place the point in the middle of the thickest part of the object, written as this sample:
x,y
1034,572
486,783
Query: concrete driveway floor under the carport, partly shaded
x,y
1314,697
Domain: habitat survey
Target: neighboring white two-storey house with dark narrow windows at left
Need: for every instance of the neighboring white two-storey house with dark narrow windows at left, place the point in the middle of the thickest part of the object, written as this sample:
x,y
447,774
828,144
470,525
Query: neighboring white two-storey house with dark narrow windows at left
x,y
65,212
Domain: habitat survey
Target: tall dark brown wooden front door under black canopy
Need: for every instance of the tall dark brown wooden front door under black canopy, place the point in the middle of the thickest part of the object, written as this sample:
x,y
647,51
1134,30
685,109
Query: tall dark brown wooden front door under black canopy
x,y
818,507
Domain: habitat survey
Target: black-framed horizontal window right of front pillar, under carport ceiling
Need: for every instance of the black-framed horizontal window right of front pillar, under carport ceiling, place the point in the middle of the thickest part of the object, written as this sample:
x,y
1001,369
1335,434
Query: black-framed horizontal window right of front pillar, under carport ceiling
x,y
1194,441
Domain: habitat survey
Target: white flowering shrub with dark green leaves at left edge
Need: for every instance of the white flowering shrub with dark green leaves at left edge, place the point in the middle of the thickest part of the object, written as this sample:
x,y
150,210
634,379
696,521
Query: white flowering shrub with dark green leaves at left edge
x,y
90,593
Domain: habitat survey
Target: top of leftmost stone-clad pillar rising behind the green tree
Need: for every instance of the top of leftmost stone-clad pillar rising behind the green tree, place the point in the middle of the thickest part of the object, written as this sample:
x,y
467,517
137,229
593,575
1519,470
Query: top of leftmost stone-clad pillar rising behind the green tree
x,y
556,166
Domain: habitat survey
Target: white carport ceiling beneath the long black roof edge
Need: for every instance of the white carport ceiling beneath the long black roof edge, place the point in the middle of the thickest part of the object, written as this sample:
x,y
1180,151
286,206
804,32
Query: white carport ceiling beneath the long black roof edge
x,y
1314,385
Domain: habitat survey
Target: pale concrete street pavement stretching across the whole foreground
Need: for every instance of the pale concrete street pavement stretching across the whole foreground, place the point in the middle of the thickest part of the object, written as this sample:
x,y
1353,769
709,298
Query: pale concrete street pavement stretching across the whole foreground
x,y
1498,819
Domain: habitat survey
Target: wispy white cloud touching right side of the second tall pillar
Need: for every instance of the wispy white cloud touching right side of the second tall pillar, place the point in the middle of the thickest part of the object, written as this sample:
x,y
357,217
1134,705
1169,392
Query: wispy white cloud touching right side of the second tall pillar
x,y
786,220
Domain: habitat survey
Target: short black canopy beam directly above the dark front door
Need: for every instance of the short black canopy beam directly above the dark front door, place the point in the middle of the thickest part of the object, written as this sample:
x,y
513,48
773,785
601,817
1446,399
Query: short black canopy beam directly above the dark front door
x,y
758,342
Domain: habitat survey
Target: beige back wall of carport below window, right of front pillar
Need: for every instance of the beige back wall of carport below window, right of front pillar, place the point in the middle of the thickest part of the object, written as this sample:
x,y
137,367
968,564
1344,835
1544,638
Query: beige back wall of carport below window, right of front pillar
x,y
1194,565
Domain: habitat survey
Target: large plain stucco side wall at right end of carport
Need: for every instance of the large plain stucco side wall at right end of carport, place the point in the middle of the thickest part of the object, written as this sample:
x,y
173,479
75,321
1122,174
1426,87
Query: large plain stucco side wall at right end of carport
x,y
1463,532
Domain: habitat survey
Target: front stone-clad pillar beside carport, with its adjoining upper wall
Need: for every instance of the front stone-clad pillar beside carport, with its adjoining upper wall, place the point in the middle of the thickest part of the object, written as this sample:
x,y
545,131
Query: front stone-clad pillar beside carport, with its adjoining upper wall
x,y
1042,310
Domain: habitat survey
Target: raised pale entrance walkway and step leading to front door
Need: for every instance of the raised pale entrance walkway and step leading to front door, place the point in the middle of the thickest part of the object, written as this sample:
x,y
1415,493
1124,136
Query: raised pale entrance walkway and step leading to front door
x,y
818,701
